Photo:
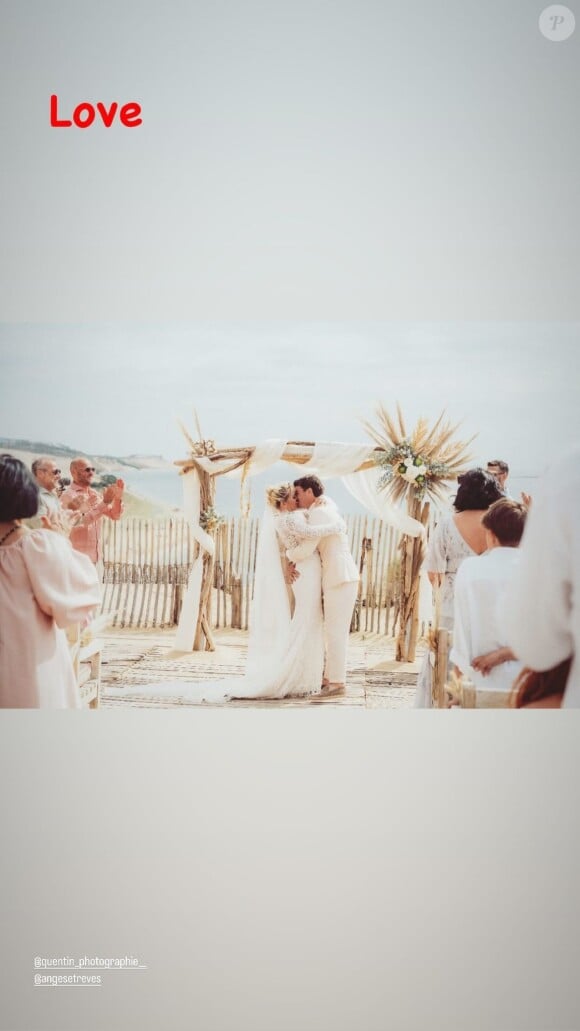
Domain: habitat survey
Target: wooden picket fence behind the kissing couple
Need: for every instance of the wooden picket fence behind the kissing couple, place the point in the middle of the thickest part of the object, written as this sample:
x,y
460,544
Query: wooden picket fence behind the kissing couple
x,y
148,563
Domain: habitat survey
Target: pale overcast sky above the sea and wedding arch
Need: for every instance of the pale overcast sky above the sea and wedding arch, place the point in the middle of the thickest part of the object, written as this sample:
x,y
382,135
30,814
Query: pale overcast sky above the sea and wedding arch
x,y
120,389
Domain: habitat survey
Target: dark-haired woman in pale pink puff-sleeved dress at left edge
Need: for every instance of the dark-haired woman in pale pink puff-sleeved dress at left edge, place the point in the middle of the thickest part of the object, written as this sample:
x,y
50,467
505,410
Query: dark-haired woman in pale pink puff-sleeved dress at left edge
x,y
45,586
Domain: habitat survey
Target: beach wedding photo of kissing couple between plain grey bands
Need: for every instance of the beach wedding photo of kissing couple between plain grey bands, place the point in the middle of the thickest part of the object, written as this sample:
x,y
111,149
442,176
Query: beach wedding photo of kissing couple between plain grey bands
x,y
285,515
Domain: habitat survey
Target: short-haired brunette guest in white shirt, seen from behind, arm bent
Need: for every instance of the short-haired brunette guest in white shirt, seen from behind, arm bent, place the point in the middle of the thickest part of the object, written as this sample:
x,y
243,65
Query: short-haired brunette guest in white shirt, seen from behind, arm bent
x,y
480,648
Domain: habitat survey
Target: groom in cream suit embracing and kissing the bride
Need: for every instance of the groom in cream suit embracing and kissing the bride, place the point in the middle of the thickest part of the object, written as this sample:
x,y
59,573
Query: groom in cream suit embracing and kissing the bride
x,y
340,582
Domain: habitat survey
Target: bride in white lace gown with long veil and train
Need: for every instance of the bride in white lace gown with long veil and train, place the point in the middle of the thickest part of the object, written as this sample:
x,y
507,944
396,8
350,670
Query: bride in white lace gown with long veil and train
x,y
286,653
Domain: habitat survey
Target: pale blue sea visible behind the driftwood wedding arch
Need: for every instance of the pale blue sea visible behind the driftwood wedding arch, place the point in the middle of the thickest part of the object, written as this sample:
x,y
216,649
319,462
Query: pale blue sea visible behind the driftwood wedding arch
x,y
164,486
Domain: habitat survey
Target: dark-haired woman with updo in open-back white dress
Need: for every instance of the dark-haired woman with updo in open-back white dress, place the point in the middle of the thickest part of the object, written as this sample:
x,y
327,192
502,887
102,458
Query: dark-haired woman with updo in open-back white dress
x,y
458,536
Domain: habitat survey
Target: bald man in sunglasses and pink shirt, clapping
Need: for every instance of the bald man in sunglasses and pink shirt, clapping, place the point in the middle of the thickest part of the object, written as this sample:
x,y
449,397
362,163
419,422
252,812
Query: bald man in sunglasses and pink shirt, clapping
x,y
90,508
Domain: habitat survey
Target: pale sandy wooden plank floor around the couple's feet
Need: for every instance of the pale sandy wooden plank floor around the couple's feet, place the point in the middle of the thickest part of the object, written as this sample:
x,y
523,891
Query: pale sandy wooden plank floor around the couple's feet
x,y
131,657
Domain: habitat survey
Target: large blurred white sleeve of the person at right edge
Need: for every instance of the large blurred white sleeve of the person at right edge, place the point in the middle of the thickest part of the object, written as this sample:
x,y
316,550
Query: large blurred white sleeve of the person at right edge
x,y
537,608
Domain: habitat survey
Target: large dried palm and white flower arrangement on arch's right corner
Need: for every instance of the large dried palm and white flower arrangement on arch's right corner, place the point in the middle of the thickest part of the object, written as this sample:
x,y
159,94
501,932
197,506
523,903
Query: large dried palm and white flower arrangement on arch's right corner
x,y
417,465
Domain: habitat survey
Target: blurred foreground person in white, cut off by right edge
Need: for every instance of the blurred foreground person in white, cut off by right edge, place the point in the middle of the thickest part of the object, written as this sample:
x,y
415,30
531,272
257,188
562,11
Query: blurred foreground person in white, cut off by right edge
x,y
542,606
